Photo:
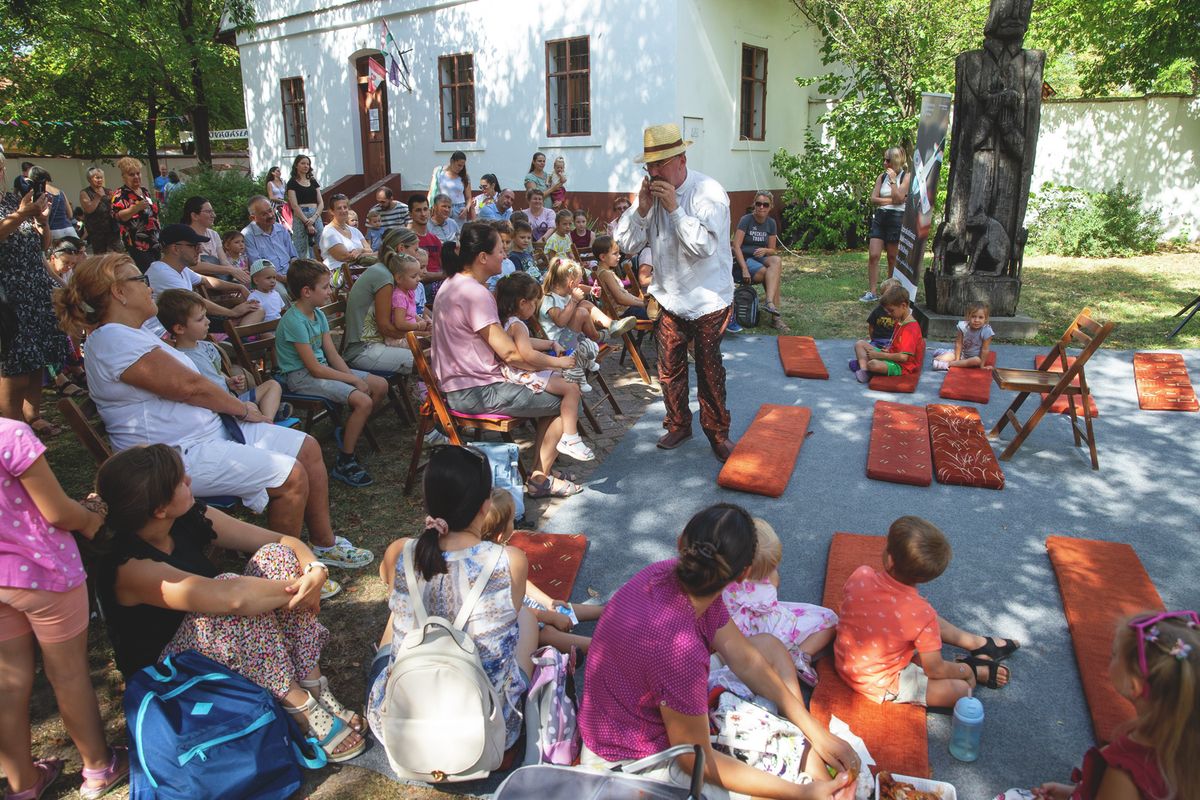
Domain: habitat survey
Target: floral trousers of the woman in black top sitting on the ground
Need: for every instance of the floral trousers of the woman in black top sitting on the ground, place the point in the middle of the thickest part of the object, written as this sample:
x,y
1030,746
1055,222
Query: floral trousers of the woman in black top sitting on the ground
x,y
272,649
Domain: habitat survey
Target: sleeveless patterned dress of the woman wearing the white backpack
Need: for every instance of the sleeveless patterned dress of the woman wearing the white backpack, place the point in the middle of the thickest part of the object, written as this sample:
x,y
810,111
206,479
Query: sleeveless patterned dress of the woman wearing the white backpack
x,y
493,627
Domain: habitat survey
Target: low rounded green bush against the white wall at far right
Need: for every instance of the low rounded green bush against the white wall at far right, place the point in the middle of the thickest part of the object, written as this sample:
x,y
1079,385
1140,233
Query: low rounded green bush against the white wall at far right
x,y
1067,221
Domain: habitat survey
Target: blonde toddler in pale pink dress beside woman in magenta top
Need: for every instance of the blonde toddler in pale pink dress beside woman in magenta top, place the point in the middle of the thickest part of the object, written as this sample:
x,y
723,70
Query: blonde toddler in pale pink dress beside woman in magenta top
x,y
755,607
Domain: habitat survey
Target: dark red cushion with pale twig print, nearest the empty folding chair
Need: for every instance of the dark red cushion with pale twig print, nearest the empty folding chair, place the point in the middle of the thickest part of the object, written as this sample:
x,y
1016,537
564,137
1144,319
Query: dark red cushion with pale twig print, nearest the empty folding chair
x,y
963,456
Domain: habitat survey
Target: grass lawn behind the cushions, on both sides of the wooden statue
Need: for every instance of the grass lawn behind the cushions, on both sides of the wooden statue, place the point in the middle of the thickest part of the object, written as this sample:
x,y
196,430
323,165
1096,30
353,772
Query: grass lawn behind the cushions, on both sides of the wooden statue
x,y
1139,294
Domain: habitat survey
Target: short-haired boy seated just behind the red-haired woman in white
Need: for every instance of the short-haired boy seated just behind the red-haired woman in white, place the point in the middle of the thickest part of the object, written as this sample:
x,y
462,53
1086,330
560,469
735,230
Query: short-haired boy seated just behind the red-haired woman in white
x,y
184,316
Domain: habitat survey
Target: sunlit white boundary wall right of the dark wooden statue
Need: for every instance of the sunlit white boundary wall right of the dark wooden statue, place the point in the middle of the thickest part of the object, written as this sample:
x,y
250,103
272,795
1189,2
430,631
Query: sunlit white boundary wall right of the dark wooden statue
x,y
1153,145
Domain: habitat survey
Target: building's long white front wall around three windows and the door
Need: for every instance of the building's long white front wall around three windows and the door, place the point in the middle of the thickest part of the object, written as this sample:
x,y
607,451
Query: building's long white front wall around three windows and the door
x,y
633,80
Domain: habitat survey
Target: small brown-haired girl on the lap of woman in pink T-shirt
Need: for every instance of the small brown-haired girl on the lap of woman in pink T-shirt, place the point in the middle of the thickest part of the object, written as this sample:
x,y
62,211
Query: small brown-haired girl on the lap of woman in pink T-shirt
x,y
517,300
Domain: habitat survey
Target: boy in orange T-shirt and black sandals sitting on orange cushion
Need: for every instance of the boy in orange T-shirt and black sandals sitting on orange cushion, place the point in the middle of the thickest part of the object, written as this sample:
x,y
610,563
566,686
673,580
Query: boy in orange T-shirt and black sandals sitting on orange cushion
x,y
890,639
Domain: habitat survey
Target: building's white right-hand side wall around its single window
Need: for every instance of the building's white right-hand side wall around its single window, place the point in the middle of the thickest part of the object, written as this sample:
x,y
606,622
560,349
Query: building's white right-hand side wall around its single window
x,y
711,38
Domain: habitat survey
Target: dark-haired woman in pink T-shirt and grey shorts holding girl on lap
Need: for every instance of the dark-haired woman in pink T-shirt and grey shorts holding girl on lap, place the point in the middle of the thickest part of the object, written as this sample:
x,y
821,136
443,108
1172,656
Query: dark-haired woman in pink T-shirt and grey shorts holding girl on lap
x,y
470,345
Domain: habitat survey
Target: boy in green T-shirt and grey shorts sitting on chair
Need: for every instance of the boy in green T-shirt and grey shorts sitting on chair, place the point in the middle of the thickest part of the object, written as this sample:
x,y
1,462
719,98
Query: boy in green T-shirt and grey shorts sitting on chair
x,y
310,365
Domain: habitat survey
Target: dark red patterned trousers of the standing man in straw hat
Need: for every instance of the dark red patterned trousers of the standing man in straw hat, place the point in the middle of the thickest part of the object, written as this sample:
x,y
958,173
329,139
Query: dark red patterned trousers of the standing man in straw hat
x,y
705,333
